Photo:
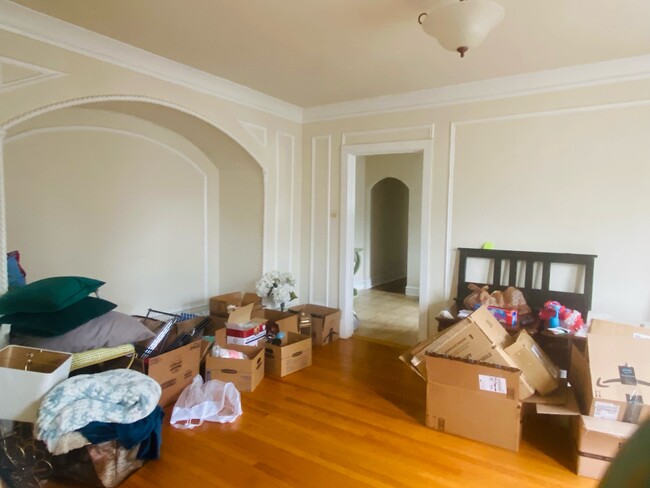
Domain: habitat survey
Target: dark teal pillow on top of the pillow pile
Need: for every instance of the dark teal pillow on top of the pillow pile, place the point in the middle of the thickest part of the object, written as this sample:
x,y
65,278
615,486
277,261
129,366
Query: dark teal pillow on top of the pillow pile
x,y
48,295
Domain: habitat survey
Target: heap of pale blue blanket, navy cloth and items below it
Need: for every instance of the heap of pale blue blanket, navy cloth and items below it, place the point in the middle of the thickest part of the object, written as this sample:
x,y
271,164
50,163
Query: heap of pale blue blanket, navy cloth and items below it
x,y
109,422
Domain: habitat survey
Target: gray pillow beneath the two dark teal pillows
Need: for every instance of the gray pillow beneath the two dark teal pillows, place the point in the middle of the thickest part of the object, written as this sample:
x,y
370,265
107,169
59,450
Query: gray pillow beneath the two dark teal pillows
x,y
108,330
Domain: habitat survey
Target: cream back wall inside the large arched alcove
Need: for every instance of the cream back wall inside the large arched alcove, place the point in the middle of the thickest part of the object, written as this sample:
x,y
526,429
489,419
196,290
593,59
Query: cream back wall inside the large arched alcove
x,y
109,196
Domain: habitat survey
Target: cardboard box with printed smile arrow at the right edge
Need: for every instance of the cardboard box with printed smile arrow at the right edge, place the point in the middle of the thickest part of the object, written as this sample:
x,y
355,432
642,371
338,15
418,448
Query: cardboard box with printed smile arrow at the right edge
x,y
614,382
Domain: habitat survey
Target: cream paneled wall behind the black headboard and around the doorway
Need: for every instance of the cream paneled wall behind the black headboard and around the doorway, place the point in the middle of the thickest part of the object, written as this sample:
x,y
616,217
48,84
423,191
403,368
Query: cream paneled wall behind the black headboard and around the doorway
x,y
562,172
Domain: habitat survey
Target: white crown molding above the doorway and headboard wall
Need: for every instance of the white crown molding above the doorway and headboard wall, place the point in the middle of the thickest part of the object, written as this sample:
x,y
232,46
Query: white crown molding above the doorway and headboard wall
x,y
626,69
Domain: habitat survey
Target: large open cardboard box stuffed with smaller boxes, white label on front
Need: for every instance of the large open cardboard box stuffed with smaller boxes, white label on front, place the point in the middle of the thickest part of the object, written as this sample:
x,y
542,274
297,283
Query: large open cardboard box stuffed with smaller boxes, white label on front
x,y
477,377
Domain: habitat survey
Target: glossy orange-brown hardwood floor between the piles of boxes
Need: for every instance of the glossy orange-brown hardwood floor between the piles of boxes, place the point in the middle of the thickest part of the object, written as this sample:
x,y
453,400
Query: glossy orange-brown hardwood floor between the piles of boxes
x,y
354,418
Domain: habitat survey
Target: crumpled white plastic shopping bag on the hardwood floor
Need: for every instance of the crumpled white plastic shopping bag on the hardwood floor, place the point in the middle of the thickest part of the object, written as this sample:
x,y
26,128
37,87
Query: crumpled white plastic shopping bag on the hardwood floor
x,y
214,401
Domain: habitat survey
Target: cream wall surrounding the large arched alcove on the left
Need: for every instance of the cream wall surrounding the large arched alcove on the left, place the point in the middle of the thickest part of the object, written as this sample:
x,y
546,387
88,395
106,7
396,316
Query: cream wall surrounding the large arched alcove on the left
x,y
272,141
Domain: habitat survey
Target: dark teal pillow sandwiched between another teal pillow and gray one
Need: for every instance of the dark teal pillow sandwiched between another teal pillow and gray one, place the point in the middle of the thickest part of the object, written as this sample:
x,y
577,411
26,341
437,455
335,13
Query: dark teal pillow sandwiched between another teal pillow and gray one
x,y
50,324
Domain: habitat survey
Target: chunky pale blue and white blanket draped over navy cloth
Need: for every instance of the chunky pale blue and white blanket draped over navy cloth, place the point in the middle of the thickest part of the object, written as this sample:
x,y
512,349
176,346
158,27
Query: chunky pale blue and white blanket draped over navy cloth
x,y
120,396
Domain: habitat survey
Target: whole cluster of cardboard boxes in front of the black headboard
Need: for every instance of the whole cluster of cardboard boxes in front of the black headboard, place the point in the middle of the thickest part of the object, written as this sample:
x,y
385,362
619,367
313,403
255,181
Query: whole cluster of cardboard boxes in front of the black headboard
x,y
479,378
